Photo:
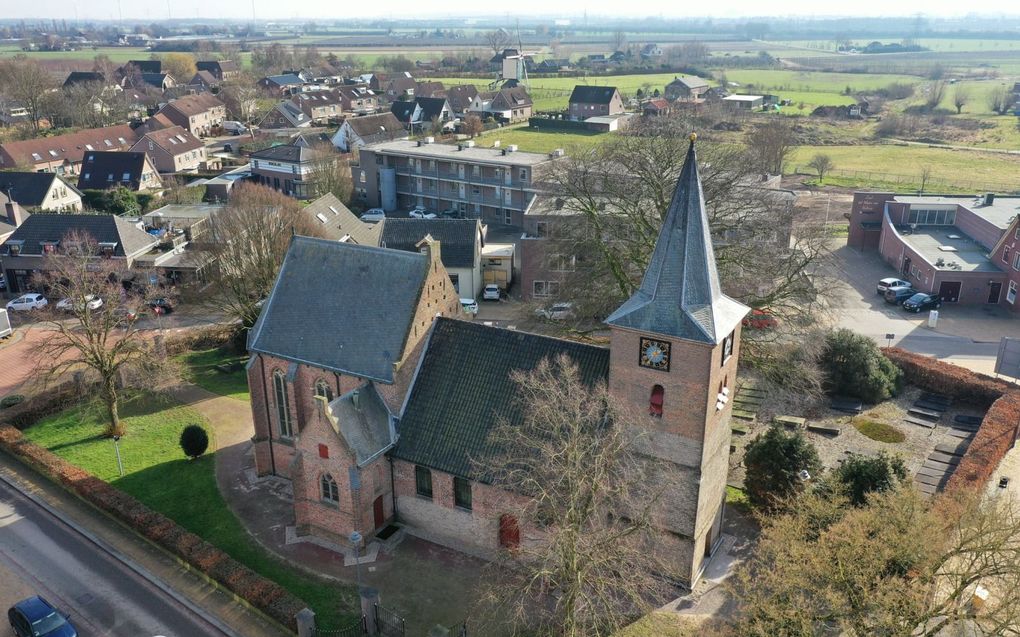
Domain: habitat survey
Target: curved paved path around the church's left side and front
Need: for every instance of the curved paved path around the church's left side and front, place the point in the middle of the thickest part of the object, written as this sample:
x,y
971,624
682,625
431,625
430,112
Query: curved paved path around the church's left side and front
x,y
423,582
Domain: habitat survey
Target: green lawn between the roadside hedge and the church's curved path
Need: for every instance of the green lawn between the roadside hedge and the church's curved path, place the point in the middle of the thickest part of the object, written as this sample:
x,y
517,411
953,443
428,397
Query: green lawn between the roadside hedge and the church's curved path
x,y
158,473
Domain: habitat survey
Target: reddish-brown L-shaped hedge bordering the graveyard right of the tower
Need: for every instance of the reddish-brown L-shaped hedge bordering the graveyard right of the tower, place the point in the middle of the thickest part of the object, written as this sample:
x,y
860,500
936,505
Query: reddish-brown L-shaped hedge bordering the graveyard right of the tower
x,y
1000,428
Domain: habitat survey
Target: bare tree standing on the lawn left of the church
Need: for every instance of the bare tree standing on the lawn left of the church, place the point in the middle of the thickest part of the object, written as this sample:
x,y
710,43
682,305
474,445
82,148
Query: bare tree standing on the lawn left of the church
x,y
94,330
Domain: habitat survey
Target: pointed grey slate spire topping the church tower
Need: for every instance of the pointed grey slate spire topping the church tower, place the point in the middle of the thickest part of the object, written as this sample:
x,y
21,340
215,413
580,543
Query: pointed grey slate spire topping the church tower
x,y
680,295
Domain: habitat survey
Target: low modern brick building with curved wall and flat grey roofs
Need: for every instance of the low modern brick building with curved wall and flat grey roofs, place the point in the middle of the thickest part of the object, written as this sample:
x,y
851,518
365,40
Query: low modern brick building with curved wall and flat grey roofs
x,y
961,248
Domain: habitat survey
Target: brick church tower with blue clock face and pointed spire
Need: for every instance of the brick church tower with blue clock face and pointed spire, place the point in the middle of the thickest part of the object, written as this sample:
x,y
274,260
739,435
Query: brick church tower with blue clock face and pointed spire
x,y
674,354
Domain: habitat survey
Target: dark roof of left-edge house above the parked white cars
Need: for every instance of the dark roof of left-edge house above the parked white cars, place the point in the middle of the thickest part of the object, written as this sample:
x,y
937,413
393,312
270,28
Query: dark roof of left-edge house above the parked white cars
x,y
104,228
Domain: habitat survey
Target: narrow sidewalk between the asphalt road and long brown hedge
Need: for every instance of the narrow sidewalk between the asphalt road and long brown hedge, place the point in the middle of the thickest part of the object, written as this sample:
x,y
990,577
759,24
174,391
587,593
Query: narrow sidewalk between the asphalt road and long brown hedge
x,y
210,599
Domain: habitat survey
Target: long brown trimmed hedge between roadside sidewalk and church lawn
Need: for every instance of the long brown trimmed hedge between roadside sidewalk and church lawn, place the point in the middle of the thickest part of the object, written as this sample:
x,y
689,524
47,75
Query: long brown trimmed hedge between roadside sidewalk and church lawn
x,y
265,595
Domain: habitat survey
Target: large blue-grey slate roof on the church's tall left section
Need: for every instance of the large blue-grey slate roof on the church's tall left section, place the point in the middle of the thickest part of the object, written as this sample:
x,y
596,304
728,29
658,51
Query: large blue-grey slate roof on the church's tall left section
x,y
342,307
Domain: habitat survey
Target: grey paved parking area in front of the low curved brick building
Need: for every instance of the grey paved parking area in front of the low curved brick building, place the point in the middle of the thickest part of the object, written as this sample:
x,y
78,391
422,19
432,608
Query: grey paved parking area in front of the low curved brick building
x,y
967,336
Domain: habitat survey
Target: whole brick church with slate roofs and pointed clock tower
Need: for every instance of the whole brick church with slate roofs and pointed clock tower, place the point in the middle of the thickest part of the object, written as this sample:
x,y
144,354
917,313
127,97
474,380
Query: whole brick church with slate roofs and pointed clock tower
x,y
374,394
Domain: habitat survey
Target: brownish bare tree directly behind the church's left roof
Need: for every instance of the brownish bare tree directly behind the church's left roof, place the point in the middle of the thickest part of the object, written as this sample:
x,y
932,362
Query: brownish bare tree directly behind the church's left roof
x,y
248,241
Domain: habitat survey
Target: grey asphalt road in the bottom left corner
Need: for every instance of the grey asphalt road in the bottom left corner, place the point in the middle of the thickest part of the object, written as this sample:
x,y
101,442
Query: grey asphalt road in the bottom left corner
x,y
39,555
